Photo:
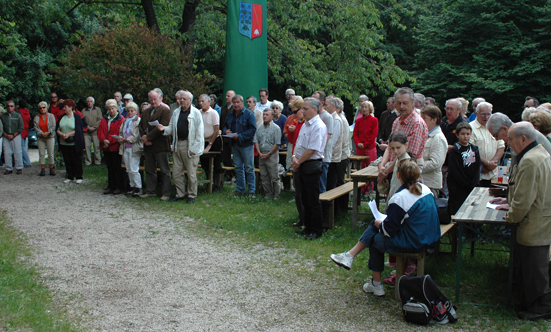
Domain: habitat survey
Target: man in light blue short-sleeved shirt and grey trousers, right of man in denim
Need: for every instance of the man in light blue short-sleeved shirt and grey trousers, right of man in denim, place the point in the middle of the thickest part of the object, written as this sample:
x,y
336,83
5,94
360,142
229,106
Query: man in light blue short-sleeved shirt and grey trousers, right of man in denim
x,y
267,140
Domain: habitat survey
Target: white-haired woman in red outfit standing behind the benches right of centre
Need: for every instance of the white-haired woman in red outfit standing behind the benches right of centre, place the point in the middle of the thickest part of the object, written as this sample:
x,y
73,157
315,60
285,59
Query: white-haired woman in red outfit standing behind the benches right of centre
x,y
365,133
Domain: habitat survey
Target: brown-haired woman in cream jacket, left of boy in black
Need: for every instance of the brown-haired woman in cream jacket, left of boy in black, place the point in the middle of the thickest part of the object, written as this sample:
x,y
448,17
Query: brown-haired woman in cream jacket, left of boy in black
x,y
436,149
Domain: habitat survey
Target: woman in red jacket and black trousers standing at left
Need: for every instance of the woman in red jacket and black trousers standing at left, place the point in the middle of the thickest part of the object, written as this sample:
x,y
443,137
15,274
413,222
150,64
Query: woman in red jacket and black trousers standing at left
x,y
108,132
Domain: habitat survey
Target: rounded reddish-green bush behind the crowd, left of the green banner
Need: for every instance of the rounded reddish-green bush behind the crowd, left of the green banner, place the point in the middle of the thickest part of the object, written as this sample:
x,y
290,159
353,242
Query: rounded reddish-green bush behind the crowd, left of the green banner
x,y
131,59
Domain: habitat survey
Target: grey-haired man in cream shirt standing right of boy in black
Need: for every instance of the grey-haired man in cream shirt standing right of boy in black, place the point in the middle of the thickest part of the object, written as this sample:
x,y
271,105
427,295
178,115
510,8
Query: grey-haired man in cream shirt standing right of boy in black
x,y
490,149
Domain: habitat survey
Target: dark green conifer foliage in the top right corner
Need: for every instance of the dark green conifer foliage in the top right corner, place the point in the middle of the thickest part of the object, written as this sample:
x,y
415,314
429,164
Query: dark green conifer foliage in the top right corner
x,y
496,49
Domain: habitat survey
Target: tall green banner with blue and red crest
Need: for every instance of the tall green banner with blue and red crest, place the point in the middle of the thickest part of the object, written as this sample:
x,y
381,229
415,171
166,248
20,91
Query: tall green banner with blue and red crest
x,y
246,69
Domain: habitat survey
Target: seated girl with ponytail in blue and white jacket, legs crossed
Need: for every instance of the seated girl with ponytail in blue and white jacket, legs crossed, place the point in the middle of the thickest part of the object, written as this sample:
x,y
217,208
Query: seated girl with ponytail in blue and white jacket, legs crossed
x,y
411,225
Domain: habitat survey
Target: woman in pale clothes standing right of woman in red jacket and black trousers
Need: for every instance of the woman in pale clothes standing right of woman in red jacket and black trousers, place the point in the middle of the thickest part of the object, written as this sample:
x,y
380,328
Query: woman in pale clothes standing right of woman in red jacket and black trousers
x,y
131,148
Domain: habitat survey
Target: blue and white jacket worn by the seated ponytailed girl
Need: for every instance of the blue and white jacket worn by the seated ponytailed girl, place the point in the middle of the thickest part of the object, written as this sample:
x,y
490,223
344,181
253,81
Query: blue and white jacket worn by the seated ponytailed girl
x,y
412,221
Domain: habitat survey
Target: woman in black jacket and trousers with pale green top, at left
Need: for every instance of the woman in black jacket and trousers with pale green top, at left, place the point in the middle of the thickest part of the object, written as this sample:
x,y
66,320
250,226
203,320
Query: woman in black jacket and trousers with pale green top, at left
x,y
70,130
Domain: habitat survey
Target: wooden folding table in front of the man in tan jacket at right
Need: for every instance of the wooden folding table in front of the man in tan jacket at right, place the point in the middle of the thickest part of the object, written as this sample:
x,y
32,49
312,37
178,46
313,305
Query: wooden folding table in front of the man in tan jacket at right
x,y
474,211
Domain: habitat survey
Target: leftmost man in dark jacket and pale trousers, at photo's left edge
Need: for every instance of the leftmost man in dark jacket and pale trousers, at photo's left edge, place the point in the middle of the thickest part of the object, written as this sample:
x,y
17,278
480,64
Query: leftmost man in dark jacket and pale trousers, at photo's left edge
x,y
12,129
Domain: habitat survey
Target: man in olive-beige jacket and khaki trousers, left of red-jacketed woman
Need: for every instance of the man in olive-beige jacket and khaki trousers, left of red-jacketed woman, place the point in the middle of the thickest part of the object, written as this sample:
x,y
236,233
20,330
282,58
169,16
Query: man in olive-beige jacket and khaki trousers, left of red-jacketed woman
x,y
92,115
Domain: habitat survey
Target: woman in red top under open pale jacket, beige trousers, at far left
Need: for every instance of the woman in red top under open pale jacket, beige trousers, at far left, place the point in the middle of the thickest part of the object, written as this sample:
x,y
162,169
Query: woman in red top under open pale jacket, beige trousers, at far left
x,y
44,124
